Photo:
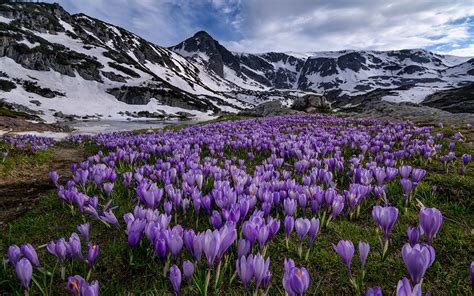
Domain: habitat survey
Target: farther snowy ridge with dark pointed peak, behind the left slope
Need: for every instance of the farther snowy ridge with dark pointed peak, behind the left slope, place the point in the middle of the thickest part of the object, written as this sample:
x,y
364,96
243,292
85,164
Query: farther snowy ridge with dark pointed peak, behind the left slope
x,y
412,73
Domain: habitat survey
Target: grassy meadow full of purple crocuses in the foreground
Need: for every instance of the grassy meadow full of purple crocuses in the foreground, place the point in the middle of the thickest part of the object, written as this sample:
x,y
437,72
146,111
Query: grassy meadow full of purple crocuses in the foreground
x,y
303,204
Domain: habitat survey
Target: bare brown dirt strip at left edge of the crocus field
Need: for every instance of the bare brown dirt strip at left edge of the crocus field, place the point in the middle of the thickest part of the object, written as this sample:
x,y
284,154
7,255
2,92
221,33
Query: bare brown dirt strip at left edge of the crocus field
x,y
24,186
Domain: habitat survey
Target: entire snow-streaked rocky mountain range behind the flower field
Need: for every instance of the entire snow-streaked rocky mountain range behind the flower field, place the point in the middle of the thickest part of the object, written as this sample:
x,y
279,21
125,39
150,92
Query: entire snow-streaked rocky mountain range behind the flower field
x,y
62,66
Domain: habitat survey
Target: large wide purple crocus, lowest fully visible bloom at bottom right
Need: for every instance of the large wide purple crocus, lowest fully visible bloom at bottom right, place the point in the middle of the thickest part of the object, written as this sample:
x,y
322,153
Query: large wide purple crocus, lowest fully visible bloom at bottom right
x,y
417,260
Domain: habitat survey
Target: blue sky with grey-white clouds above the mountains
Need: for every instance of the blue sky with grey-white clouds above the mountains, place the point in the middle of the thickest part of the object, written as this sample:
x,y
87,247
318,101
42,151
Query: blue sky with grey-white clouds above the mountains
x,y
445,26
